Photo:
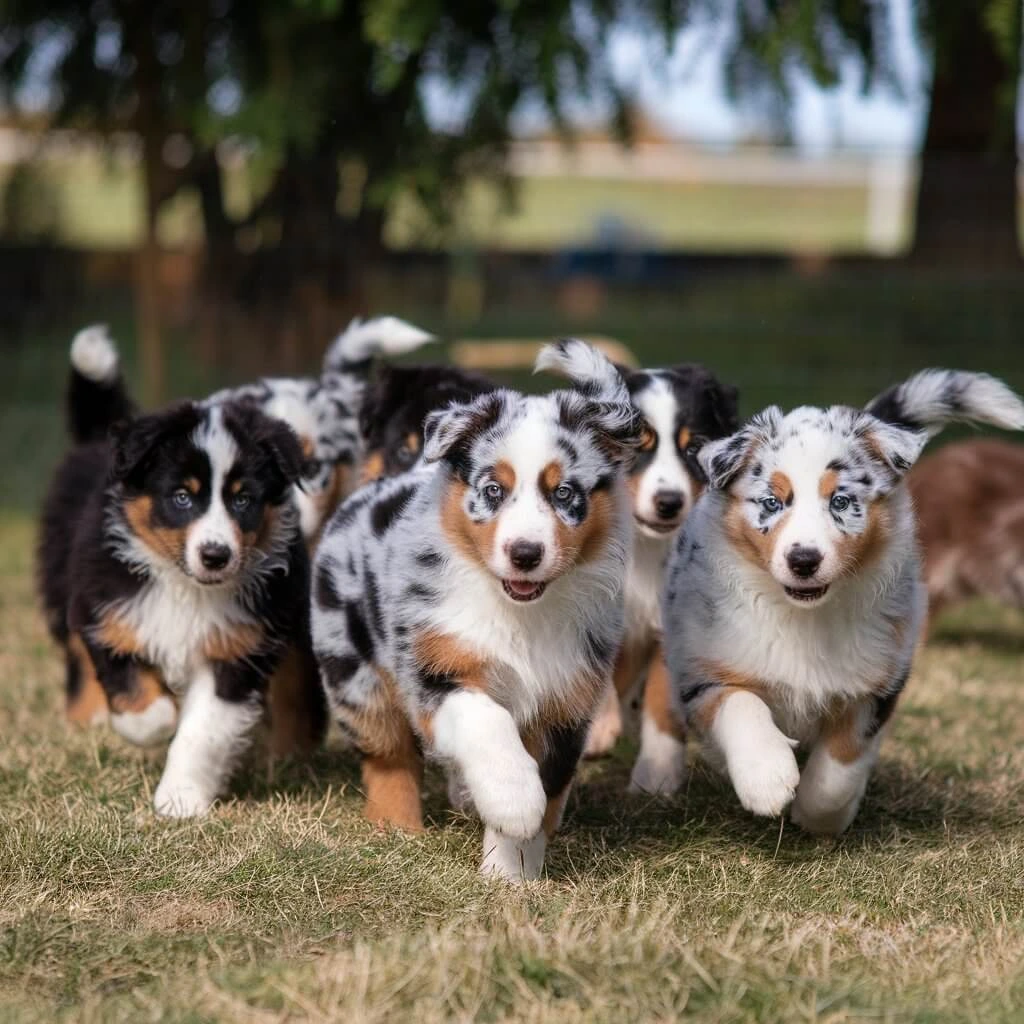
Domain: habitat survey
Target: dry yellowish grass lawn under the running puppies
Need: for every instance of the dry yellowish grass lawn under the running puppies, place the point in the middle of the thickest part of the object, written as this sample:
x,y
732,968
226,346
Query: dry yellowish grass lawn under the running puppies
x,y
285,907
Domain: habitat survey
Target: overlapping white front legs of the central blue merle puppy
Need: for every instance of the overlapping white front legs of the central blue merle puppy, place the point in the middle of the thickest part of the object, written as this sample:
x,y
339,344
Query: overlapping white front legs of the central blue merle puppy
x,y
504,782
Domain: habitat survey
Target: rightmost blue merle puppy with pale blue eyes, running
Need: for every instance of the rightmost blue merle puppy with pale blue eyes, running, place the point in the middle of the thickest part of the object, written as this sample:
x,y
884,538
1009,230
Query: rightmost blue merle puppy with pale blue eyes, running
x,y
794,598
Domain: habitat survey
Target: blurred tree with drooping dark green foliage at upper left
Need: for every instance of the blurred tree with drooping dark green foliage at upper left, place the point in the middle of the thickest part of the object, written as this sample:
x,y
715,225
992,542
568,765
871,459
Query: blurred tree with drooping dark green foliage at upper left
x,y
330,98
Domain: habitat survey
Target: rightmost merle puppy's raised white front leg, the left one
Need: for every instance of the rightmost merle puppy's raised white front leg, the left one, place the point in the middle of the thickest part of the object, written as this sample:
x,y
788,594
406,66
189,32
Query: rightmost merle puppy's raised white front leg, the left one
x,y
758,756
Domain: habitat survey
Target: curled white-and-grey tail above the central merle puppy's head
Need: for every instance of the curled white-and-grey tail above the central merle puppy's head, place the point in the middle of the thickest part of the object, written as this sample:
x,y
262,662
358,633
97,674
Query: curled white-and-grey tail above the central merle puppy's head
x,y
602,386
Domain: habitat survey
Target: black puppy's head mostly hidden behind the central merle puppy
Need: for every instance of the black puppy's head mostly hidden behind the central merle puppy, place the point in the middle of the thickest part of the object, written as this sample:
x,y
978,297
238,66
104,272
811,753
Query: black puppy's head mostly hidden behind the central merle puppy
x,y
396,407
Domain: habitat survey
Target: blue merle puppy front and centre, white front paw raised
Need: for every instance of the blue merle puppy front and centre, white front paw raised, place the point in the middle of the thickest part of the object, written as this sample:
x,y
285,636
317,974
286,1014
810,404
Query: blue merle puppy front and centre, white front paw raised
x,y
471,611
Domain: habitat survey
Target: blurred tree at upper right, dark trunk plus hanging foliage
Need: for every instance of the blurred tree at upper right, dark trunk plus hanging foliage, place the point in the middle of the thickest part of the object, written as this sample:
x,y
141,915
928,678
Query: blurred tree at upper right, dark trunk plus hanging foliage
x,y
966,211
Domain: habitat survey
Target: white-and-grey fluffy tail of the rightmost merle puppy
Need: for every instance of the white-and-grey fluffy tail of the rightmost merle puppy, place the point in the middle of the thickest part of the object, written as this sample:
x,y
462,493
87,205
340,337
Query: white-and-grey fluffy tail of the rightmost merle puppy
x,y
933,399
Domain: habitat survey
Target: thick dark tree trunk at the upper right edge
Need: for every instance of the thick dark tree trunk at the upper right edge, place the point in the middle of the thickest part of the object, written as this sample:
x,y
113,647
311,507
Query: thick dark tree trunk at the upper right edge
x,y
967,198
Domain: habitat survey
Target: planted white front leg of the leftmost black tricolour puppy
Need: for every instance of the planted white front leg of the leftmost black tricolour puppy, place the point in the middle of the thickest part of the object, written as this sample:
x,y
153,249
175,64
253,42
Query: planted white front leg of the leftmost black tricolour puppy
x,y
222,707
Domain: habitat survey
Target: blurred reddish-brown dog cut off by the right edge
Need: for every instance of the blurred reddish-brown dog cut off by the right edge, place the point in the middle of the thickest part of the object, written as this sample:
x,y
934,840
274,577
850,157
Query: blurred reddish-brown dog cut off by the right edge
x,y
969,497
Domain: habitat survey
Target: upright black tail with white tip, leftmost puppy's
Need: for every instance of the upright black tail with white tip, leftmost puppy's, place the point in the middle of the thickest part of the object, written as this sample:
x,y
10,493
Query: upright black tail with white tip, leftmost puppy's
x,y
97,397
